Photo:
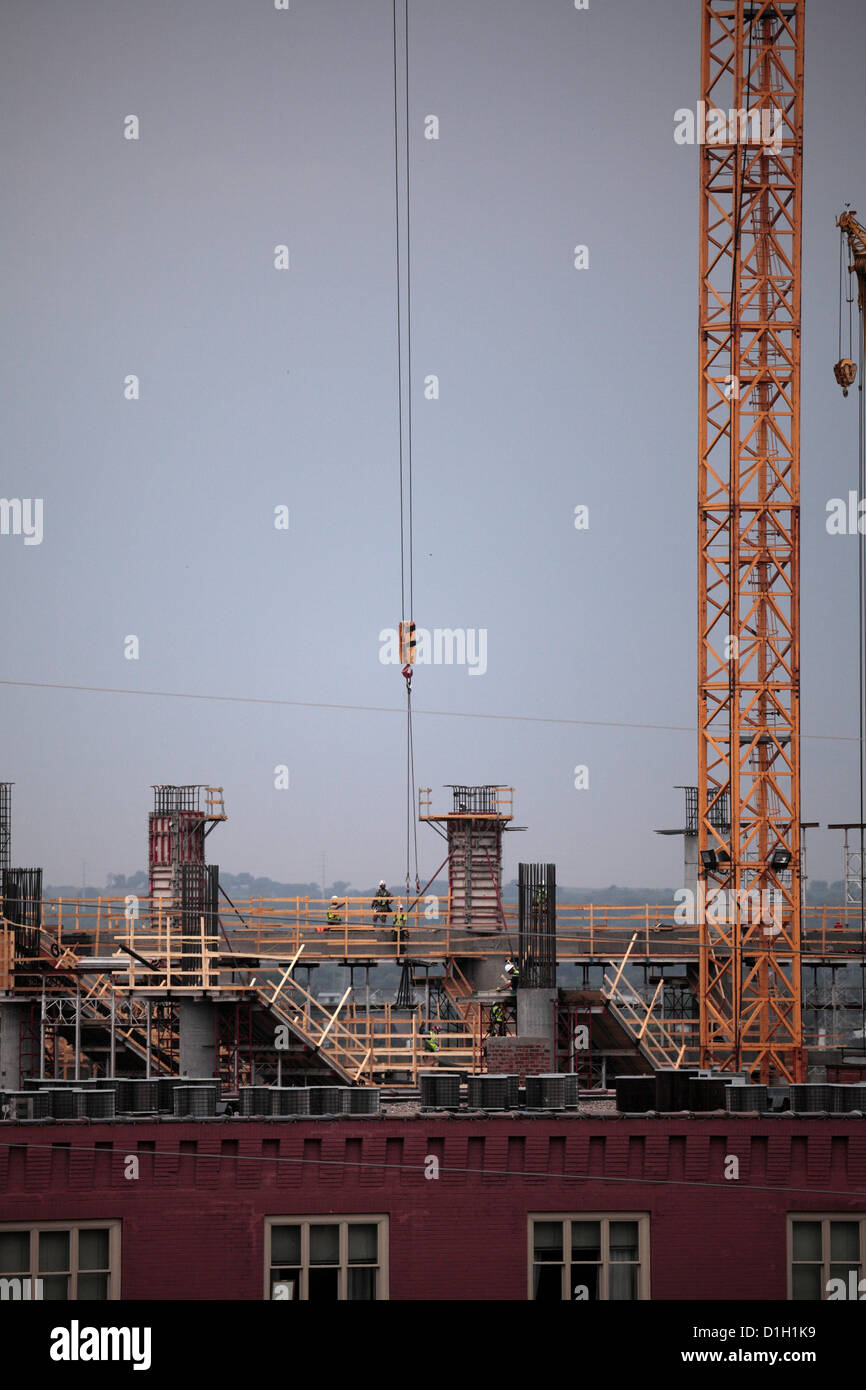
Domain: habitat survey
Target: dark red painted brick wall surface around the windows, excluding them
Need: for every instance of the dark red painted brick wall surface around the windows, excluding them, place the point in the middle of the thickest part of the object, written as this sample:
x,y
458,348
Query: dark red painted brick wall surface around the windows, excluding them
x,y
194,1221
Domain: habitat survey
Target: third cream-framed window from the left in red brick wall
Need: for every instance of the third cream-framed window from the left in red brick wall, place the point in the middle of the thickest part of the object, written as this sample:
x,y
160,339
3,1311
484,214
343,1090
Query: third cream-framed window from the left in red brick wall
x,y
589,1257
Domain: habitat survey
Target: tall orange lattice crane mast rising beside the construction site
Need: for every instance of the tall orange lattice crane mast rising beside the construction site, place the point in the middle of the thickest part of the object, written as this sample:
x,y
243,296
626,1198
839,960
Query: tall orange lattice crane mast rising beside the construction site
x,y
749,518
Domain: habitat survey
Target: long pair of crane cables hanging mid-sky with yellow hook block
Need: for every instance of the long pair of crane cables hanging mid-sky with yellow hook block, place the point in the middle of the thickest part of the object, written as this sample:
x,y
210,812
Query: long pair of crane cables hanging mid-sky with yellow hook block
x,y
405,448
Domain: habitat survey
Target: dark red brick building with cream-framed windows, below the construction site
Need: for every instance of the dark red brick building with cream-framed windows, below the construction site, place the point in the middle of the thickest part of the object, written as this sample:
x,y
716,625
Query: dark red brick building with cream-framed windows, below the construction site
x,y
436,1207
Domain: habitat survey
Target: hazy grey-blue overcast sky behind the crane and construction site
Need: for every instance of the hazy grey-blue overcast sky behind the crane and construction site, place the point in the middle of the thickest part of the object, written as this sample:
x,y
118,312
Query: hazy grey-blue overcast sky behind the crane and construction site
x,y
262,389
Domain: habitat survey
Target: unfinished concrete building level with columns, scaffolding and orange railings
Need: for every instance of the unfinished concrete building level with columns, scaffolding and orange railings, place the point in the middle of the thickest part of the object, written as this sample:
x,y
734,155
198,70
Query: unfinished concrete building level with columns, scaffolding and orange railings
x,y
188,983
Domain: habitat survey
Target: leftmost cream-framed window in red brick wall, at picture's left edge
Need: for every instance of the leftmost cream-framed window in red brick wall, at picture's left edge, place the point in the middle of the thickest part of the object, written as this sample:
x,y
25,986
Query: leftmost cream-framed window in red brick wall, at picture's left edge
x,y
60,1263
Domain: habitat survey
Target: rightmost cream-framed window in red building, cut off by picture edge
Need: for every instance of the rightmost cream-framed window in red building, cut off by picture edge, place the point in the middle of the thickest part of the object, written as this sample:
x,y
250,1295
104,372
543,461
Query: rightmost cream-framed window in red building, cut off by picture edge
x,y
825,1249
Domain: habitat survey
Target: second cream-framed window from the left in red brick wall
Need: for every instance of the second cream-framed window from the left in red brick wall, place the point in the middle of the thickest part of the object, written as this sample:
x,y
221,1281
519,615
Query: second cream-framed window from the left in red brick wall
x,y
327,1259
